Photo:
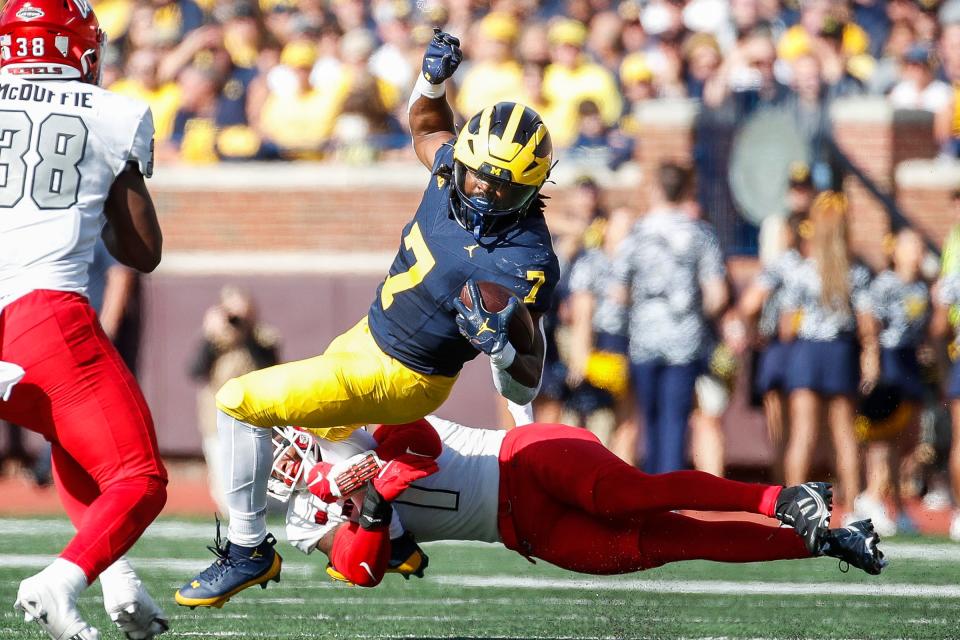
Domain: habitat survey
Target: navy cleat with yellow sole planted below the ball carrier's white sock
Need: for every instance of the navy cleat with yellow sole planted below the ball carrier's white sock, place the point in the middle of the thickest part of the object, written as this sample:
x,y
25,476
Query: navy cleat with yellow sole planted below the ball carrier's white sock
x,y
236,568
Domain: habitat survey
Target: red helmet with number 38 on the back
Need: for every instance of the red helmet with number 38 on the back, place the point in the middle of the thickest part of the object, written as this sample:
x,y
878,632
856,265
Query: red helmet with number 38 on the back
x,y
51,39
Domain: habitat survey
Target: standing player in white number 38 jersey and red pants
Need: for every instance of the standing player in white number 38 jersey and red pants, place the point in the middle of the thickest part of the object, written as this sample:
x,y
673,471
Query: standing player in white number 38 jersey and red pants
x,y
73,158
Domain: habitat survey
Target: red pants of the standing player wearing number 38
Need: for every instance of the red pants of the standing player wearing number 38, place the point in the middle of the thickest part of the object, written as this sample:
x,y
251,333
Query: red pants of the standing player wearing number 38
x,y
80,396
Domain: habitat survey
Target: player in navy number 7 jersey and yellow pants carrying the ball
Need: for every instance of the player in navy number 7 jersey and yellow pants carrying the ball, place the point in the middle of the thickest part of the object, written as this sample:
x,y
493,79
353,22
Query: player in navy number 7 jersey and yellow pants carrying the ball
x,y
480,219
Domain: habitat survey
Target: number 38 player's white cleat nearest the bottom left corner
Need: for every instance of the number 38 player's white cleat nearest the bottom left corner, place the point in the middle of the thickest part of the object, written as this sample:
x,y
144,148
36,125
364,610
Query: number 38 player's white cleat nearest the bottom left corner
x,y
55,610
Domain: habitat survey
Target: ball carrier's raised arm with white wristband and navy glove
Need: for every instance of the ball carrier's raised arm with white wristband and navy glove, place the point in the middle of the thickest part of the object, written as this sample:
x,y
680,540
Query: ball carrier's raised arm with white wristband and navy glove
x,y
431,118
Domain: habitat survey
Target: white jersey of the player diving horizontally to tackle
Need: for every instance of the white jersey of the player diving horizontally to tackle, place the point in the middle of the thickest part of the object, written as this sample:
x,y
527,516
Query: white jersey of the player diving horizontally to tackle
x,y
459,502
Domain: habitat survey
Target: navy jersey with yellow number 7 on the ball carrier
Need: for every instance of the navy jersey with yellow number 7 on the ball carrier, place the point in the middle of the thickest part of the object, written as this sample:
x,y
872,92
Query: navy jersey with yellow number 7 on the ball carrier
x,y
412,318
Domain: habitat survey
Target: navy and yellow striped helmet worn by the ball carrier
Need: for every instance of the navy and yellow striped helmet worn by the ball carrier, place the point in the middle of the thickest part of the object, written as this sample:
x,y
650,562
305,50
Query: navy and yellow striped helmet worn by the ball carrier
x,y
501,157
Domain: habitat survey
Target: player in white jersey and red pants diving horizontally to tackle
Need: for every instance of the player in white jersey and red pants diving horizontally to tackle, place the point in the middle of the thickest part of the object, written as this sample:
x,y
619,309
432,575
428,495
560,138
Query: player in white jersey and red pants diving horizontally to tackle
x,y
546,491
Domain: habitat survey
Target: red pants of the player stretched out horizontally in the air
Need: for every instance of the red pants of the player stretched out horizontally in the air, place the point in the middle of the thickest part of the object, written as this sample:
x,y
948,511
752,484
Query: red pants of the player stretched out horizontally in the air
x,y
566,499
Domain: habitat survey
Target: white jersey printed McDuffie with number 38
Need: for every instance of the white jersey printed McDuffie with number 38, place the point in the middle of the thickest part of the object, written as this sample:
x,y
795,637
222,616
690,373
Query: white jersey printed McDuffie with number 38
x,y
62,145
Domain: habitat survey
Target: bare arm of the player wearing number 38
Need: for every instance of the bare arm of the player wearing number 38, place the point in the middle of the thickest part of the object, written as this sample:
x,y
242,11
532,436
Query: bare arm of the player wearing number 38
x,y
132,233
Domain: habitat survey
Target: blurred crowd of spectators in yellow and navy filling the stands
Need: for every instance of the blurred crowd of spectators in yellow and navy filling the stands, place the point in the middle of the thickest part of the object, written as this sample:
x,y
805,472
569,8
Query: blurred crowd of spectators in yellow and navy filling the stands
x,y
291,79
